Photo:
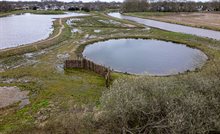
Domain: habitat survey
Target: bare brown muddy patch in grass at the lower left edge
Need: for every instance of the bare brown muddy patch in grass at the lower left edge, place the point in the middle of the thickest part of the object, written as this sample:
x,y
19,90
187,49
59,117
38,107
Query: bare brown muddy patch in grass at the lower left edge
x,y
11,95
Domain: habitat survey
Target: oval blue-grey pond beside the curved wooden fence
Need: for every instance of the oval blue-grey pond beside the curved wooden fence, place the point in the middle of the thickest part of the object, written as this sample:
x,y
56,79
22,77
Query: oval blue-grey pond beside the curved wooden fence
x,y
140,56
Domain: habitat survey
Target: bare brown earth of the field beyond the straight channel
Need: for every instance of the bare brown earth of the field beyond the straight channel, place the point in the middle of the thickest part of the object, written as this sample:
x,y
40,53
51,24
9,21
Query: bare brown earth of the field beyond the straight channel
x,y
205,20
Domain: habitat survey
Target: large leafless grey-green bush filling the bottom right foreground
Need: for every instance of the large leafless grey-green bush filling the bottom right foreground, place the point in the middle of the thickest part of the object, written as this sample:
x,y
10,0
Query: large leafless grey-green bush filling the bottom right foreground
x,y
158,105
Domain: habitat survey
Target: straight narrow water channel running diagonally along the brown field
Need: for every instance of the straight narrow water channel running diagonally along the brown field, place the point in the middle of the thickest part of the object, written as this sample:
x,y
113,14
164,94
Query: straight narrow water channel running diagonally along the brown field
x,y
171,27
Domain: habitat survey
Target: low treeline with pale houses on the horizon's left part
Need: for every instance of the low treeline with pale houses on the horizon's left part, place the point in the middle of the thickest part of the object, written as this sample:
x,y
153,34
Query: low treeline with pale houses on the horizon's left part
x,y
55,5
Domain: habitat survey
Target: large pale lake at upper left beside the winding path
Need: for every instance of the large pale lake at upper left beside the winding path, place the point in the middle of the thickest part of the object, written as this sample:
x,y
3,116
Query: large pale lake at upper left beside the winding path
x,y
27,28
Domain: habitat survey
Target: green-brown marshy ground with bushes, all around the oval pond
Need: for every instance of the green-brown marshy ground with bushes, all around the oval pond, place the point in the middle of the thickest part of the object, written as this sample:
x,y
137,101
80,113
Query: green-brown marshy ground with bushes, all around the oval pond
x,y
76,101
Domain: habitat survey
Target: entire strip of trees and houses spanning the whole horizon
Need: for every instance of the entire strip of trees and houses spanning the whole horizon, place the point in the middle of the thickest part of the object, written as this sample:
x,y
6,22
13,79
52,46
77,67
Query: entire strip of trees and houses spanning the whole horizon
x,y
126,6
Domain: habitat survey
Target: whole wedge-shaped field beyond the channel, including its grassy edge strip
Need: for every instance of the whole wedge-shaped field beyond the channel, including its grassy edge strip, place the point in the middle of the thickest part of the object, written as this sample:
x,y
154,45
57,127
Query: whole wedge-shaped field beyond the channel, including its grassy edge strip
x,y
201,20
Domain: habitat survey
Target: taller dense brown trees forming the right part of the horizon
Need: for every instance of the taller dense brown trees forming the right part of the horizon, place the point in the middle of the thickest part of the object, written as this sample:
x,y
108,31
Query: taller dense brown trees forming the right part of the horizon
x,y
169,6
